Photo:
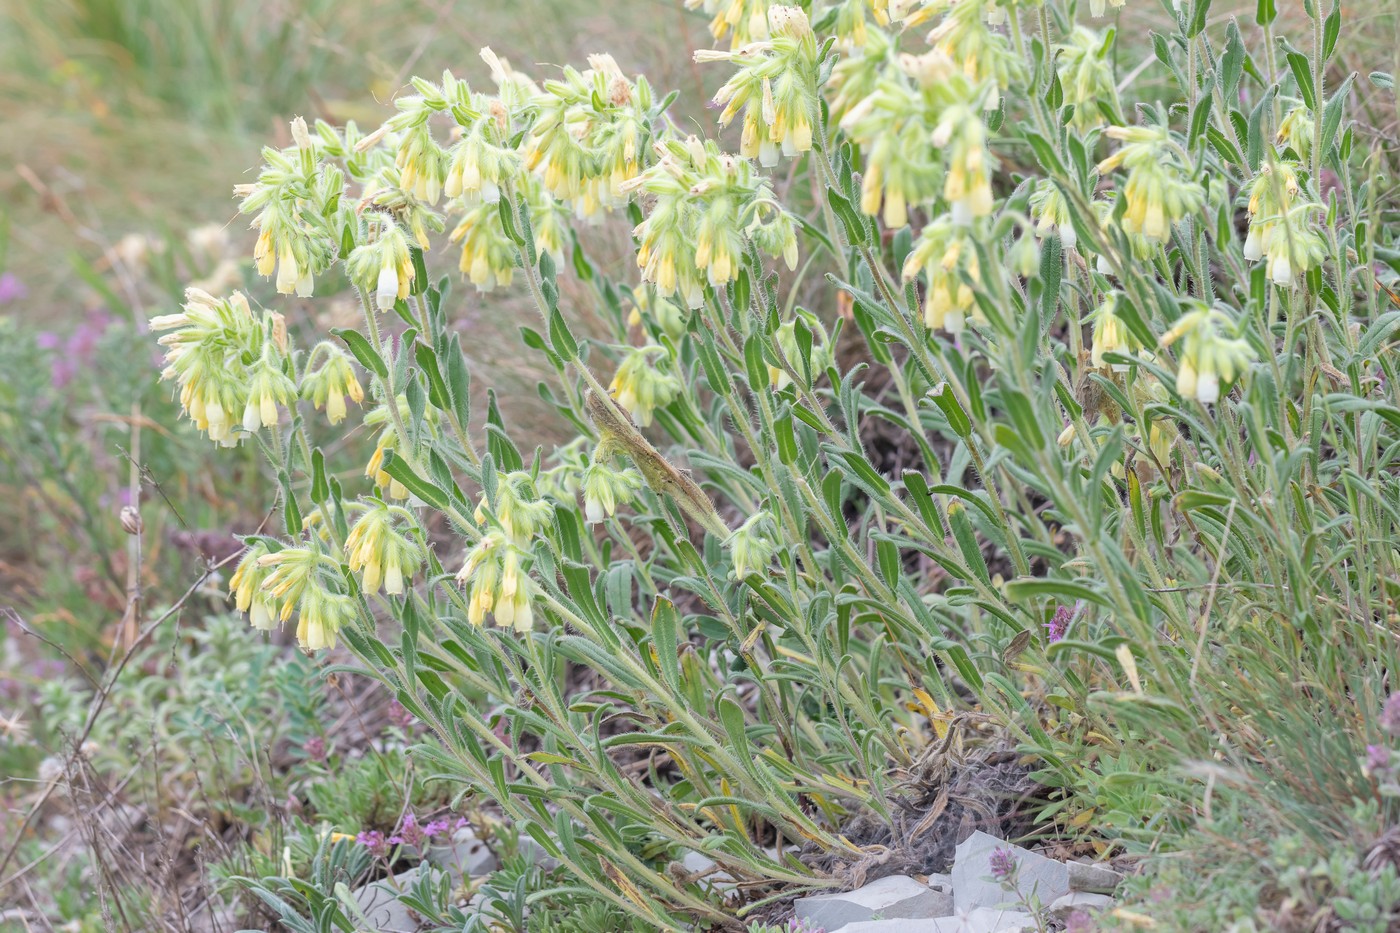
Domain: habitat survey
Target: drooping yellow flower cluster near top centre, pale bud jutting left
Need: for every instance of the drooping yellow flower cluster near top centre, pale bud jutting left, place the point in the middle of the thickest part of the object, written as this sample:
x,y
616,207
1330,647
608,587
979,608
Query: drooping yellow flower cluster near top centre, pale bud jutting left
x,y
775,88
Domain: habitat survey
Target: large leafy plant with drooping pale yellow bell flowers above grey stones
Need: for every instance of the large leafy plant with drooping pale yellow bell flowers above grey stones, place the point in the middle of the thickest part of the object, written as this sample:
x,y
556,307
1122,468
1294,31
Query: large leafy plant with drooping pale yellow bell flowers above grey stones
x,y
954,393
